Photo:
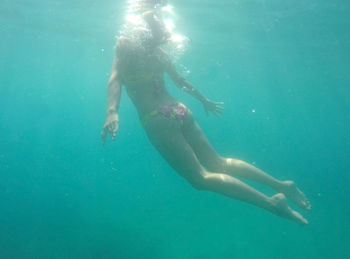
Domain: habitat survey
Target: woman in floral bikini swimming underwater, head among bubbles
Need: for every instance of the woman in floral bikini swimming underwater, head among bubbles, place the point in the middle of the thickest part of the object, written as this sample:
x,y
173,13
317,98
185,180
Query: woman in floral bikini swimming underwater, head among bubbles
x,y
140,65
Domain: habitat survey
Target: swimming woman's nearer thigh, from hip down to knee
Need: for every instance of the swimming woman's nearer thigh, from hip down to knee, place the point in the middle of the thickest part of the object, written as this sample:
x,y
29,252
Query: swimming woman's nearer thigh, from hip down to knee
x,y
166,136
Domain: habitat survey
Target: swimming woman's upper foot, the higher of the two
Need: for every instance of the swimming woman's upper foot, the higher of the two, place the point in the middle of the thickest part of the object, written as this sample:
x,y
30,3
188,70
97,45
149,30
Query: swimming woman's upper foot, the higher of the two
x,y
293,193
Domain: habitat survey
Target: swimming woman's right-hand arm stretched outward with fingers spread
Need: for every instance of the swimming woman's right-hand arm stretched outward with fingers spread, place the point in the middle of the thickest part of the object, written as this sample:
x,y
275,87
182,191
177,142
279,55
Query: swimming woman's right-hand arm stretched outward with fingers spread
x,y
209,106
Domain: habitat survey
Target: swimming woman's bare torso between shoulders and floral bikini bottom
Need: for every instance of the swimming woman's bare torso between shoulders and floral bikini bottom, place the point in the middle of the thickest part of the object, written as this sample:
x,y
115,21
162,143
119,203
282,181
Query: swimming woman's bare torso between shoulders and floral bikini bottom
x,y
142,73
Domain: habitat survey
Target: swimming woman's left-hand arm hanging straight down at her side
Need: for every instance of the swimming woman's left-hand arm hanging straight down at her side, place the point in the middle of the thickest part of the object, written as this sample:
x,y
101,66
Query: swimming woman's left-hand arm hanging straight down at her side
x,y
114,93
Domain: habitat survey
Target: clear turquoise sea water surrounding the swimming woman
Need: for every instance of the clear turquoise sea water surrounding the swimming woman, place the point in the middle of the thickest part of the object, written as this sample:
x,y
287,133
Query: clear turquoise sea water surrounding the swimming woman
x,y
282,69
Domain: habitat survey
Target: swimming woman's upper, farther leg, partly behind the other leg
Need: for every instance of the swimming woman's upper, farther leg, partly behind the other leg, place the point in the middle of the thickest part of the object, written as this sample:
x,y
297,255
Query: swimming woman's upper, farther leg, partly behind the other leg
x,y
238,168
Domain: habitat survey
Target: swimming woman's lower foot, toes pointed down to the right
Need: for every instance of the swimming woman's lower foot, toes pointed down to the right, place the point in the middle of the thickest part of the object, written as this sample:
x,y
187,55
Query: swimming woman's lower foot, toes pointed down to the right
x,y
281,208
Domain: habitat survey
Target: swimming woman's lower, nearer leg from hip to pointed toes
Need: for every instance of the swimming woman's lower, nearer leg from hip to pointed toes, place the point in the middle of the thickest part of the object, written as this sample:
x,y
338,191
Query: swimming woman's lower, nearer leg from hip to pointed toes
x,y
167,137
